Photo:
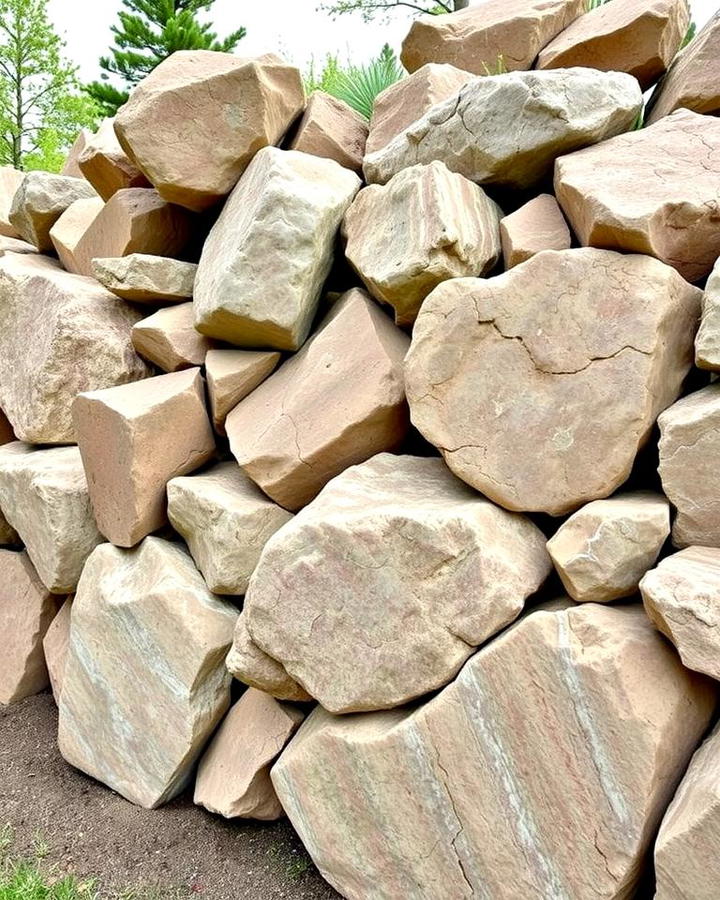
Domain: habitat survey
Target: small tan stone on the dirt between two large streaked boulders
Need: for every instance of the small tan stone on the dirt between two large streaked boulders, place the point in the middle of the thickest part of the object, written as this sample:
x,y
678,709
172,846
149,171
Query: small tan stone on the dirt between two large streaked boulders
x,y
234,773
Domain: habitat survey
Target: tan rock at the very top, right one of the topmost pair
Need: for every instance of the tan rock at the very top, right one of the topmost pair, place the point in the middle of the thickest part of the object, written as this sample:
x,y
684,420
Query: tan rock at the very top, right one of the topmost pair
x,y
640,37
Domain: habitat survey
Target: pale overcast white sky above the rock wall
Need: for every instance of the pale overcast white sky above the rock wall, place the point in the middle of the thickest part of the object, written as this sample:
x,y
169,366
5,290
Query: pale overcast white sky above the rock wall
x,y
292,27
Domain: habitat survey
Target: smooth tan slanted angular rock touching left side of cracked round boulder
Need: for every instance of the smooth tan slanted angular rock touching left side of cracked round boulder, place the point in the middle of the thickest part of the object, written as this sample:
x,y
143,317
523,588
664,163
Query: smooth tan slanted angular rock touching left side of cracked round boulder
x,y
325,409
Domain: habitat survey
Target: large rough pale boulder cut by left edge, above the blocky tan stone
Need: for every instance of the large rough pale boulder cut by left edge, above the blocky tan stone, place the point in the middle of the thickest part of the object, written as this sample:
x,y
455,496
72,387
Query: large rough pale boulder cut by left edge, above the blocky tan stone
x,y
81,342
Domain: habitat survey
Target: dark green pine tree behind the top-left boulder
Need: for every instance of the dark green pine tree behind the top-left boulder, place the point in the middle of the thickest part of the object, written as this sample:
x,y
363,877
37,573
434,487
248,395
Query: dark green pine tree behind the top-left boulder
x,y
148,32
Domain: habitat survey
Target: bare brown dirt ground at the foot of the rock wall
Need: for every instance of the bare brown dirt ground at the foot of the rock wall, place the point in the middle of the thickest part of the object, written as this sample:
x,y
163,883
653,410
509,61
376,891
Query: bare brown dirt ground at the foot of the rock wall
x,y
91,832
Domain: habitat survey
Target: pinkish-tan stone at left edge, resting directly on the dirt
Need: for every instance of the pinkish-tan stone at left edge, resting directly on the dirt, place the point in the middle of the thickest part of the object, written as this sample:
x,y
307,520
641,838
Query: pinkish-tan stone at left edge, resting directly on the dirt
x,y
26,610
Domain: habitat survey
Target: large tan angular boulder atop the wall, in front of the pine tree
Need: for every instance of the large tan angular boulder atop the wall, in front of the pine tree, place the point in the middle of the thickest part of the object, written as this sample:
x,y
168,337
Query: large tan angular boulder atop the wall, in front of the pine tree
x,y
239,106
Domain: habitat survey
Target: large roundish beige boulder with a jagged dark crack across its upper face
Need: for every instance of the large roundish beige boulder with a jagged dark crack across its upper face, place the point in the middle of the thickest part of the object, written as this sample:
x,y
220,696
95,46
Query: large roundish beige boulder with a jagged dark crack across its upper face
x,y
540,386
